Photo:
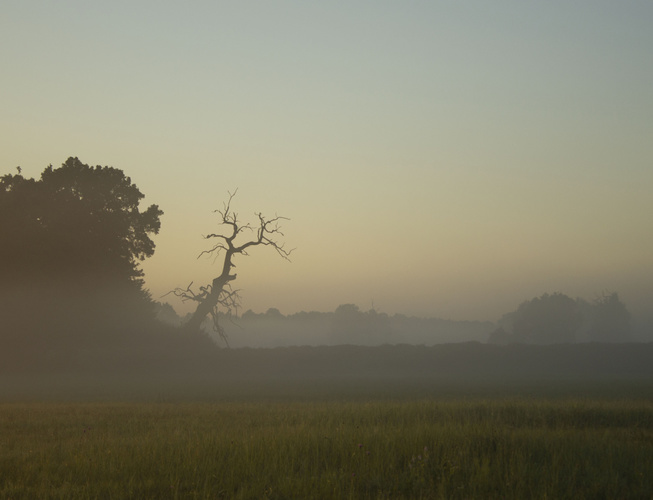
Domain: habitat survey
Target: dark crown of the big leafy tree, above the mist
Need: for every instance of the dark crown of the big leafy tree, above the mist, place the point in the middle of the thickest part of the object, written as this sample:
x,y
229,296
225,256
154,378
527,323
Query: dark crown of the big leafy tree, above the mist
x,y
75,221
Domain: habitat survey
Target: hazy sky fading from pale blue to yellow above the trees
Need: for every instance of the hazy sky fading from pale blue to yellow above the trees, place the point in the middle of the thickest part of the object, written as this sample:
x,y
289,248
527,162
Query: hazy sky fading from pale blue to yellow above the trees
x,y
440,158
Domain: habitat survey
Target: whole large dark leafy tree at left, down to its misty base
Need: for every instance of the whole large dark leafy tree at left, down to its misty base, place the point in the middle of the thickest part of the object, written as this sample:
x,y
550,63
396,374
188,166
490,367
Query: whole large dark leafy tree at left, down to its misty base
x,y
71,288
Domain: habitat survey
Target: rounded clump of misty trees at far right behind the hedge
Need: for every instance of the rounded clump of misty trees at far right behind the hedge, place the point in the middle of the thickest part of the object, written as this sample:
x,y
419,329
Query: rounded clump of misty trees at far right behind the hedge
x,y
557,318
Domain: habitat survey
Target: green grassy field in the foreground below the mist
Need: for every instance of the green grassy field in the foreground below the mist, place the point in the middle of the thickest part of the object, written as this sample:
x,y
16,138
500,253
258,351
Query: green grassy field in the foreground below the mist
x,y
466,448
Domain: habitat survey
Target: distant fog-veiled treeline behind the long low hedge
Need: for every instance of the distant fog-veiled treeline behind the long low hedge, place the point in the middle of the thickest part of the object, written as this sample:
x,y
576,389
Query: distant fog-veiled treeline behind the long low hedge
x,y
548,319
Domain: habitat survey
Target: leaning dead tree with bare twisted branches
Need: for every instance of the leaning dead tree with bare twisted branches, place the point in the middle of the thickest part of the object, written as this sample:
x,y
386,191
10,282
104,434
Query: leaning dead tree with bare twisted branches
x,y
220,293
